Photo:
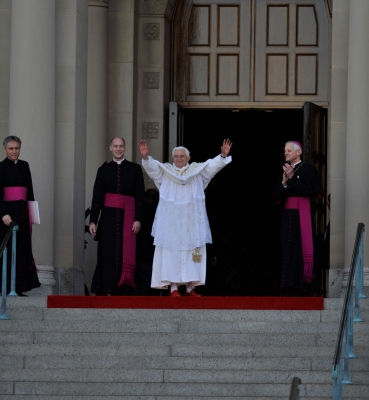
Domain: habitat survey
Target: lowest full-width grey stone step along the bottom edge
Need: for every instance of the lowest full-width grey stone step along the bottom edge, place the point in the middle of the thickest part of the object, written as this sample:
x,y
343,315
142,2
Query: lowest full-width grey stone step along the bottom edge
x,y
175,390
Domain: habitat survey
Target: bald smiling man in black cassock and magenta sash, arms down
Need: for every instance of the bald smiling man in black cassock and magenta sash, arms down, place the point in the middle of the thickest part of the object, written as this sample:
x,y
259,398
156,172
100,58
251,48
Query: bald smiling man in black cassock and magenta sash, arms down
x,y
122,180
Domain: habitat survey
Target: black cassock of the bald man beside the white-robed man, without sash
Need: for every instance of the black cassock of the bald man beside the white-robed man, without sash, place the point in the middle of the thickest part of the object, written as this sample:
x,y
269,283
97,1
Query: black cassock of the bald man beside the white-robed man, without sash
x,y
125,179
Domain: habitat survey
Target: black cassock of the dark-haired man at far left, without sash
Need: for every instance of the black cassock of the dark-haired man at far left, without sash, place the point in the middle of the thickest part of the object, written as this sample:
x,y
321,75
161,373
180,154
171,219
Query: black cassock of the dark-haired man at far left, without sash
x,y
18,174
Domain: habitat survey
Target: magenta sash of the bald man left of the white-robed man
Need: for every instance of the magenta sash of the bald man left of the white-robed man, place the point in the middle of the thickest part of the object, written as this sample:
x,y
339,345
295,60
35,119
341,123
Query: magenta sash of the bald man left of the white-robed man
x,y
129,238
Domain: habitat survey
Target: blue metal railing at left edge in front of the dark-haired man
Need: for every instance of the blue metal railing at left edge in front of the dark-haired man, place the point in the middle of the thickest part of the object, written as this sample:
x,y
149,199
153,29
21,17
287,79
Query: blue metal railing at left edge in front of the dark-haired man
x,y
4,252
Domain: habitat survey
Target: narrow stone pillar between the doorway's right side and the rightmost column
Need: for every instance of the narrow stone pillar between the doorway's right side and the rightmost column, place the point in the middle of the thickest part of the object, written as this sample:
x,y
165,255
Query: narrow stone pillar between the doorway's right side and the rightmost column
x,y
337,142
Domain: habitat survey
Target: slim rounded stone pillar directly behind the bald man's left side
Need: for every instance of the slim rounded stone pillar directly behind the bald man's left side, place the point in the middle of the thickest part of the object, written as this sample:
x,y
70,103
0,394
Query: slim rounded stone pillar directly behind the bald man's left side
x,y
97,110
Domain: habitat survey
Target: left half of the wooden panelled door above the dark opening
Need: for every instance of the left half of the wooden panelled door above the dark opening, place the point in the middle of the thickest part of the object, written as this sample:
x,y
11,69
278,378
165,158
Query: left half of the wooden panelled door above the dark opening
x,y
212,51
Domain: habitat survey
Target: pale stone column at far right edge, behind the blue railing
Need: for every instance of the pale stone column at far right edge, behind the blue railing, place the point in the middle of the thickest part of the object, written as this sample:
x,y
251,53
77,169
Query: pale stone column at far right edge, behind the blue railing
x,y
357,138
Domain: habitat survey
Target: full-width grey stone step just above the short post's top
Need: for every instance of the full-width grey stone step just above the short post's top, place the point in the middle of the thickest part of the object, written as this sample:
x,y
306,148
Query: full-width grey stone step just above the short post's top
x,y
181,363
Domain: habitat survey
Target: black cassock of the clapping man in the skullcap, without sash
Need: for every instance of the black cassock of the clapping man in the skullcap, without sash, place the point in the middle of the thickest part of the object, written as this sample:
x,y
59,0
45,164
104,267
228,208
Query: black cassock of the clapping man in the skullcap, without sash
x,y
304,183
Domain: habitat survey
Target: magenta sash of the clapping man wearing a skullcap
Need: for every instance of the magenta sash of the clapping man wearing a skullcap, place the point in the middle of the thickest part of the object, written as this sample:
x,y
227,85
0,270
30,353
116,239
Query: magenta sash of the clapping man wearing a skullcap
x,y
303,205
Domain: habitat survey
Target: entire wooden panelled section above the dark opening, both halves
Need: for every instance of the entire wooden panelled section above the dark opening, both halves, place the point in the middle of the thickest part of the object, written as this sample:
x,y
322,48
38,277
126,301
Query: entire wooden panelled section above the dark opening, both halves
x,y
251,52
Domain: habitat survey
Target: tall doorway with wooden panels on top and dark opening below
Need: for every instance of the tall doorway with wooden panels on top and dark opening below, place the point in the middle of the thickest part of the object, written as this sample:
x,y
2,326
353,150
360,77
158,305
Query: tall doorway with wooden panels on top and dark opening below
x,y
243,70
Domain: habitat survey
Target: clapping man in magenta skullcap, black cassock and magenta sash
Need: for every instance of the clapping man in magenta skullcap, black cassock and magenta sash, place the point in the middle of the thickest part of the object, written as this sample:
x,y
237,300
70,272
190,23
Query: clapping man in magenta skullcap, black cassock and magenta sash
x,y
297,185
